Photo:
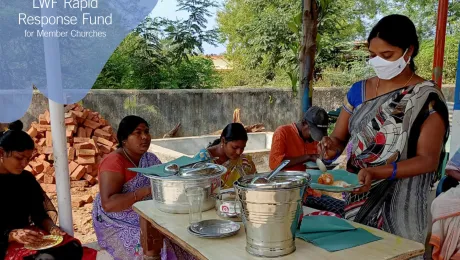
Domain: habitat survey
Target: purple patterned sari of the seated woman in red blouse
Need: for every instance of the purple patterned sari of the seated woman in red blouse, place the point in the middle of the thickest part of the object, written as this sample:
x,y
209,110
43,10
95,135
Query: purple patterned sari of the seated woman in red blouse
x,y
119,232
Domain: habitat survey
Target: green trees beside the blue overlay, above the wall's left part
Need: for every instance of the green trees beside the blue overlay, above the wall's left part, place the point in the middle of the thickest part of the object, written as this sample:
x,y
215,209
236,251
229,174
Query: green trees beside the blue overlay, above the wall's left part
x,y
161,53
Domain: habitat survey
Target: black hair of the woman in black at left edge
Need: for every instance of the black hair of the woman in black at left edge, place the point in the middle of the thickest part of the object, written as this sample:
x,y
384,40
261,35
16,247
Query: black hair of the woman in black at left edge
x,y
16,141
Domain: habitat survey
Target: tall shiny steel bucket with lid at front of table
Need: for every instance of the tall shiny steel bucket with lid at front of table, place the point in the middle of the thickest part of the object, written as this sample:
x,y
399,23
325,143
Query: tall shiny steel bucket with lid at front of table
x,y
271,212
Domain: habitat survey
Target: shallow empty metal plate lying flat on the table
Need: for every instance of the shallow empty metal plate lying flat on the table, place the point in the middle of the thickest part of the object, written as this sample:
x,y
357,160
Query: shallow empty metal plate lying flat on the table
x,y
214,228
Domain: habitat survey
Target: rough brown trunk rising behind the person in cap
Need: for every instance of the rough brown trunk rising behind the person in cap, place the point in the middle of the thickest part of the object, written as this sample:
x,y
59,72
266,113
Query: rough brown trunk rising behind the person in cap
x,y
307,53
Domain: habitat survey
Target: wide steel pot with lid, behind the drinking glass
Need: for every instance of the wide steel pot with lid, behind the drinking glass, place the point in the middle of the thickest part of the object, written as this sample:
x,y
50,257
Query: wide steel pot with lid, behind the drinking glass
x,y
169,192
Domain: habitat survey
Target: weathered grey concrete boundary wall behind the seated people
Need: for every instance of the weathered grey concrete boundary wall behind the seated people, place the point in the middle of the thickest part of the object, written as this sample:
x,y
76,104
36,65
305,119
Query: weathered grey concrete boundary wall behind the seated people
x,y
201,112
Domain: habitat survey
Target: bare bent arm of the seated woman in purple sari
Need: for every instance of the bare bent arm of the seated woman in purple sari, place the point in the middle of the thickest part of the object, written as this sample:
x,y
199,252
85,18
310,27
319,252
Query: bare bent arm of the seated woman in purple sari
x,y
110,188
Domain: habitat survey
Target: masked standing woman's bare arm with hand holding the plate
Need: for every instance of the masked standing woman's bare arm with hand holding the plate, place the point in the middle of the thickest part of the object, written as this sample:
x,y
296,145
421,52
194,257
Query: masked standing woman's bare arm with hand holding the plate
x,y
426,160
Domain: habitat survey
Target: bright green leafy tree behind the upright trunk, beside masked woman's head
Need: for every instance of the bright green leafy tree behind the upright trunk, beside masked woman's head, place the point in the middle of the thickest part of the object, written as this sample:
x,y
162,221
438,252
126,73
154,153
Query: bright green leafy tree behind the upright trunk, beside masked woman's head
x,y
262,36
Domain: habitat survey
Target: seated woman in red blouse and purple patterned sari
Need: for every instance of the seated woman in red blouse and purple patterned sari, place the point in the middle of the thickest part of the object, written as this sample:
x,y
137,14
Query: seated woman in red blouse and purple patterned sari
x,y
116,224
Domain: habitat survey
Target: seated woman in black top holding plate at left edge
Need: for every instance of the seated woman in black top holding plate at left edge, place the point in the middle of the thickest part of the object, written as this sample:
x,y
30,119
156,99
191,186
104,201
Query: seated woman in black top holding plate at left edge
x,y
25,206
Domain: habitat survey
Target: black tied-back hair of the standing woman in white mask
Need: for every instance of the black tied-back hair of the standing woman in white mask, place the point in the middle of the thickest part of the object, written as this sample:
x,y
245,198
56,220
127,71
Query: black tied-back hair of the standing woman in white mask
x,y
397,30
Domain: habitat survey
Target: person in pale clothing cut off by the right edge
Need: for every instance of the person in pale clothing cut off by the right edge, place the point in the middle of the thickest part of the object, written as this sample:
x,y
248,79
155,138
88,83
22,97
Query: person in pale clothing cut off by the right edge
x,y
445,210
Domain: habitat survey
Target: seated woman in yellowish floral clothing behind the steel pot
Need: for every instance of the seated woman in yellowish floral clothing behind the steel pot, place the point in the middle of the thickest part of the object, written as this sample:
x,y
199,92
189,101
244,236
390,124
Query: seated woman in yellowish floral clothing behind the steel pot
x,y
228,152
